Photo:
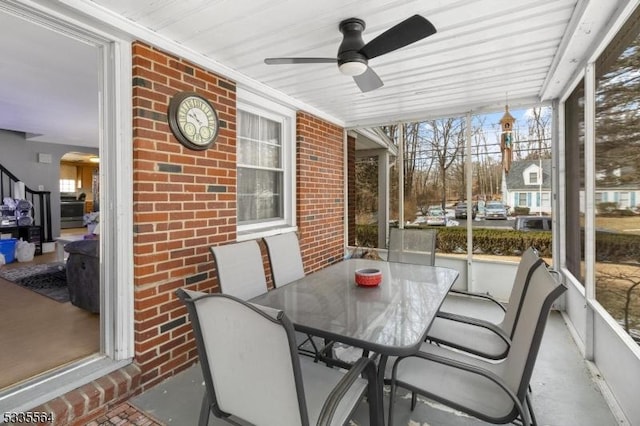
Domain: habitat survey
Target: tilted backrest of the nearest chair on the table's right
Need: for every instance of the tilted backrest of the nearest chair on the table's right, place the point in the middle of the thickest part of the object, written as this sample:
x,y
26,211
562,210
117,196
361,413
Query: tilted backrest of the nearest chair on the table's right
x,y
542,291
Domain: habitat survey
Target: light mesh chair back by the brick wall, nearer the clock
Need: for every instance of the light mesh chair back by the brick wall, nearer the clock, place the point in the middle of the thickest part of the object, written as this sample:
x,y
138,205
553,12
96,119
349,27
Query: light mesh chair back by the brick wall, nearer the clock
x,y
240,269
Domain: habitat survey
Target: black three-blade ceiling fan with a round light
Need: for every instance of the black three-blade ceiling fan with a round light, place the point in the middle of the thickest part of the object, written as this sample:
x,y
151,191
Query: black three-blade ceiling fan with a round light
x,y
354,54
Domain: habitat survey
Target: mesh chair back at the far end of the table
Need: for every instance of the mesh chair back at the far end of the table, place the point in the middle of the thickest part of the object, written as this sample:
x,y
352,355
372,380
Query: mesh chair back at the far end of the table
x,y
416,246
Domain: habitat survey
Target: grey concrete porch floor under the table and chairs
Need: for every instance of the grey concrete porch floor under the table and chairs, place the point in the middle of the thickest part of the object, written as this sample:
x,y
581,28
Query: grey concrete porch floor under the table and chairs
x,y
565,392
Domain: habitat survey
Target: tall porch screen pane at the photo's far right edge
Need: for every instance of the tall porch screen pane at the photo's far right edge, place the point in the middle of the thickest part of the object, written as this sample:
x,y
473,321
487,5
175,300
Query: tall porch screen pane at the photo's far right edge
x,y
617,162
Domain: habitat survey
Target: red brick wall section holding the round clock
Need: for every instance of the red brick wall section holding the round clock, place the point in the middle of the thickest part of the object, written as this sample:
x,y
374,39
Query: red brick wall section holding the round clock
x,y
184,202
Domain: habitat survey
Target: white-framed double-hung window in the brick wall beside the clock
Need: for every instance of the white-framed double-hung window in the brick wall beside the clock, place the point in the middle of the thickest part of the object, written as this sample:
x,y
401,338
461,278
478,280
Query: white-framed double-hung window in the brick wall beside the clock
x,y
265,165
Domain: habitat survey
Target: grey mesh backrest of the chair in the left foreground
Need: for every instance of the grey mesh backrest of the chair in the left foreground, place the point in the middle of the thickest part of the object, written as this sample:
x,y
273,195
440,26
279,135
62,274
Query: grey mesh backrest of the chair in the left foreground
x,y
249,362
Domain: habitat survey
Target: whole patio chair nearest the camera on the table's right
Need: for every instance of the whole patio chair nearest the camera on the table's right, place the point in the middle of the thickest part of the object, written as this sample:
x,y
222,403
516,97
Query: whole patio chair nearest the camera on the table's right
x,y
496,392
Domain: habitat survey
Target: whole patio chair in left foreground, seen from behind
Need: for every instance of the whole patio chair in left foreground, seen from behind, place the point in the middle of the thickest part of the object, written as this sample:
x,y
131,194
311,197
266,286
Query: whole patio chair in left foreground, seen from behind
x,y
252,371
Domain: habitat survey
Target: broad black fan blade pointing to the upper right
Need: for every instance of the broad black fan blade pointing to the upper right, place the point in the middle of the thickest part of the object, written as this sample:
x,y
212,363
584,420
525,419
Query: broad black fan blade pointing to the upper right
x,y
406,32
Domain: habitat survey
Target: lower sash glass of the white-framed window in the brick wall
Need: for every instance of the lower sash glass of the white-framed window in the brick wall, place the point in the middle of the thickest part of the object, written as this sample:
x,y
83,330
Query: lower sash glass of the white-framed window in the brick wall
x,y
259,195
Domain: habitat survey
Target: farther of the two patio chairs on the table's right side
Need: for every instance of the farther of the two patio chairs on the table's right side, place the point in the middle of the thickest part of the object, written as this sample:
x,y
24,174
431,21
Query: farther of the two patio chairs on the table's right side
x,y
479,324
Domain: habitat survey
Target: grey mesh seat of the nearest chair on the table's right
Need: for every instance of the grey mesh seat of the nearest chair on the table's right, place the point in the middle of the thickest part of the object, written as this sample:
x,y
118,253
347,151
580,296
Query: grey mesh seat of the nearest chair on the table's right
x,y
447,384
